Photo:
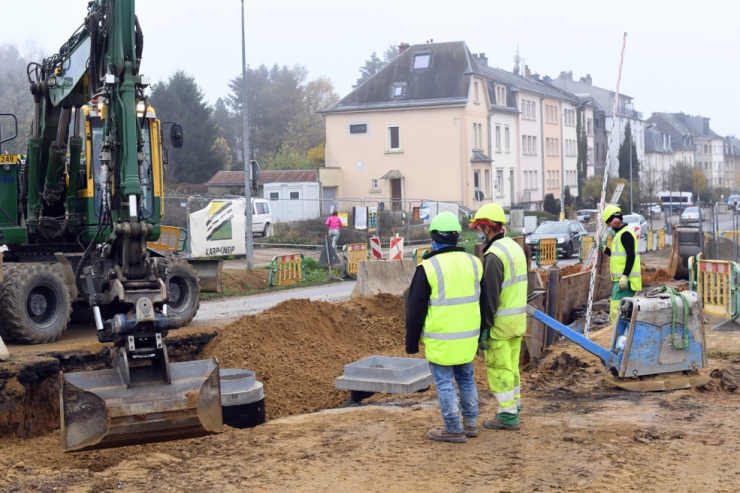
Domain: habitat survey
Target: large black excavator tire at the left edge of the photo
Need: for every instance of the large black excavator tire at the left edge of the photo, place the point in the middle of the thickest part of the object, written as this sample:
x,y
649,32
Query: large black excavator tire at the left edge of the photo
x,y
36,304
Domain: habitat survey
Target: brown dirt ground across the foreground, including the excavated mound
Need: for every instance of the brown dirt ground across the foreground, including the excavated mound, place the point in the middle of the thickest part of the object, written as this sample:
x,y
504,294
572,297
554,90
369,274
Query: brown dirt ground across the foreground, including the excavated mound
x,y
578,432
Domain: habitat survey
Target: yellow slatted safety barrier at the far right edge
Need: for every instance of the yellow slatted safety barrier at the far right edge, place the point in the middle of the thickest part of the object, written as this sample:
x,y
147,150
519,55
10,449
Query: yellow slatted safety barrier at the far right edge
x,y
716,282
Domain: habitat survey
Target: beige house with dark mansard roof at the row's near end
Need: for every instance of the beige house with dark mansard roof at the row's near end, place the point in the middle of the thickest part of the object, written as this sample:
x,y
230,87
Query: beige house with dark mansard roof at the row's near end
x,y
418,129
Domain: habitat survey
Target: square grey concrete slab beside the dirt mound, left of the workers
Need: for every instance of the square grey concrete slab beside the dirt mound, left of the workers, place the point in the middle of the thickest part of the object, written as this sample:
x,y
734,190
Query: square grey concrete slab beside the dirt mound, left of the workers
x,y
386,374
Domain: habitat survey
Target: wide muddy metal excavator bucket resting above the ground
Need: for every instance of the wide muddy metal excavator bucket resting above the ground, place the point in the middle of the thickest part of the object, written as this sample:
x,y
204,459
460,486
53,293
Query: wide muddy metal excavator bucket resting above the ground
x,y
113,408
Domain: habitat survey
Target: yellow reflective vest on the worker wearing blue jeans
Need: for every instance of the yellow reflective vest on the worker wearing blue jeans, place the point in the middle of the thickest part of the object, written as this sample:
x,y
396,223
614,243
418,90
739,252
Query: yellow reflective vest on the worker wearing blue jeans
x,y
452,325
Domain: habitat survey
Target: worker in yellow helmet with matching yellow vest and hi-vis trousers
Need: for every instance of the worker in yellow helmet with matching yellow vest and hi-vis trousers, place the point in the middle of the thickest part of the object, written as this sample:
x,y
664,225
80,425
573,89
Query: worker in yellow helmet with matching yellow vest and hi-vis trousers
x,y
503,313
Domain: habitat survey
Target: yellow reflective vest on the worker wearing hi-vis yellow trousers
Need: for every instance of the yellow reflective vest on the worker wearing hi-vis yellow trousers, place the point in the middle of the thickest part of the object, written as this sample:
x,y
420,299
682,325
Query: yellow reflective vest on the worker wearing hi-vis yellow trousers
x,y
510,320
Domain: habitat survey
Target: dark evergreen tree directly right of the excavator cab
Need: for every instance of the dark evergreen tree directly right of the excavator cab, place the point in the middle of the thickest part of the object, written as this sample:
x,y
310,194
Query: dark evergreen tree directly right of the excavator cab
x,y
181,100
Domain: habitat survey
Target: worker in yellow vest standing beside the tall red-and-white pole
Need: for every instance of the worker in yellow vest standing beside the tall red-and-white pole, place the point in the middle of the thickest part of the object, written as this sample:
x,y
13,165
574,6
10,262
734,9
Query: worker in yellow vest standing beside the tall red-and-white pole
x,y
624,262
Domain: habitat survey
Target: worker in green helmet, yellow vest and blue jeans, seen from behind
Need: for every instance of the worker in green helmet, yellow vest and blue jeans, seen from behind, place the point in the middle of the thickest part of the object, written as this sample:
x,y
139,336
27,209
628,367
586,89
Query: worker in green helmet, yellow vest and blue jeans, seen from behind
x,y
443,313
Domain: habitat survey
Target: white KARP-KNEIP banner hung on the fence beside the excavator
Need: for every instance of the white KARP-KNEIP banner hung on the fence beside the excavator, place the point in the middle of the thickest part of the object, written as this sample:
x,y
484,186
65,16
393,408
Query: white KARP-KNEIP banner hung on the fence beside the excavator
x,y
218,229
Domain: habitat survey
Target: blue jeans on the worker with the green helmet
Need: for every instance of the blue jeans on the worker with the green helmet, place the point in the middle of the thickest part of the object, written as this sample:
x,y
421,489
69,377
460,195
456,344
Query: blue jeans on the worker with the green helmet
x,y
447,396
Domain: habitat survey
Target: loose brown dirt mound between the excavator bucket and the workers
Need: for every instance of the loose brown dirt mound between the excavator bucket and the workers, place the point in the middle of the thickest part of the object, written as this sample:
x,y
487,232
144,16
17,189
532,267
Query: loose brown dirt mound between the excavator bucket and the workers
x,y
299,347
